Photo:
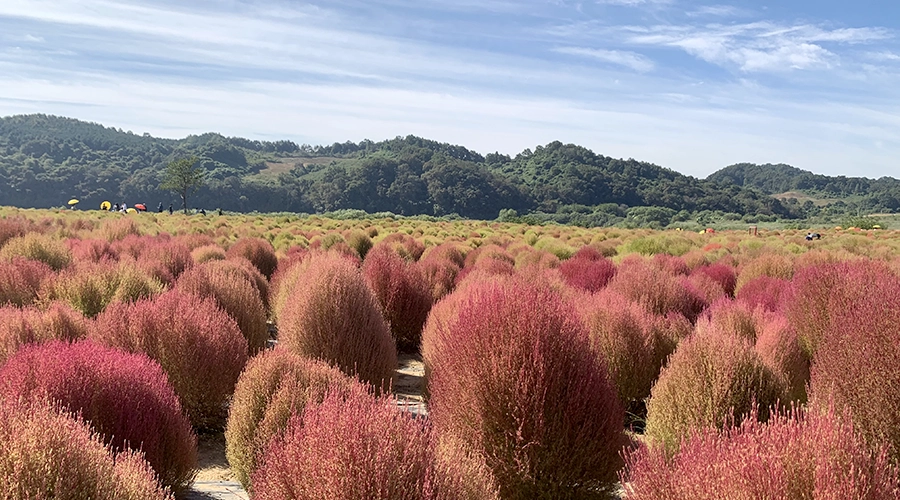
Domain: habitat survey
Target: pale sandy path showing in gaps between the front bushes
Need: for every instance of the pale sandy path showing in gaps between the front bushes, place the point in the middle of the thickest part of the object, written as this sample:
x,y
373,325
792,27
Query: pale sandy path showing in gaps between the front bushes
x,y
215,481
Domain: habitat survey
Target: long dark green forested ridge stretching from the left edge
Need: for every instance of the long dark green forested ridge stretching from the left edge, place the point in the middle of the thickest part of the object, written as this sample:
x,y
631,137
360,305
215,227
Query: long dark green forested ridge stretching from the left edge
x,y
46,160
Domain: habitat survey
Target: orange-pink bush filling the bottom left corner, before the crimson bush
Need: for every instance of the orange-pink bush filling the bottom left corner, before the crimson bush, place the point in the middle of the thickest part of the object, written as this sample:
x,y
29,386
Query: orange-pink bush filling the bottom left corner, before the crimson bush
x,y
49,454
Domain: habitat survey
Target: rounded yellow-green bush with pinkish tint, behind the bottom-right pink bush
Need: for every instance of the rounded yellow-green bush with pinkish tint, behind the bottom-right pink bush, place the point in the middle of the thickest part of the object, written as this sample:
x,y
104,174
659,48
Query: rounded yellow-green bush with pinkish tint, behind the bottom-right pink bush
x,y
712,380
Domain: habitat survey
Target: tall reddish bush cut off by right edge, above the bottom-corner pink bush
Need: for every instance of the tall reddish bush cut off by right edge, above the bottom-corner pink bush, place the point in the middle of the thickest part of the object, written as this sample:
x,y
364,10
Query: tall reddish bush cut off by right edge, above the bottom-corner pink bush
x,y
854,365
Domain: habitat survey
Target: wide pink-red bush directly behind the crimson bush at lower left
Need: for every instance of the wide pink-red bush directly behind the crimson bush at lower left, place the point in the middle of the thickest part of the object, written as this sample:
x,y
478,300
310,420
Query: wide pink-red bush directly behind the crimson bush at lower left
x,y
198,345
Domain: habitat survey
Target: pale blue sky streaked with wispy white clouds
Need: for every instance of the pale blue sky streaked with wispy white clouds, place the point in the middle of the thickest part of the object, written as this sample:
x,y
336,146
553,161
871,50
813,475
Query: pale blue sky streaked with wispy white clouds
x,y
691,85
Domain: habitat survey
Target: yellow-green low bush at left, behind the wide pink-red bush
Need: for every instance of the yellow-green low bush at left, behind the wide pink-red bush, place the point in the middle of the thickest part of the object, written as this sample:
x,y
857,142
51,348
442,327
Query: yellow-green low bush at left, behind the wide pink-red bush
x,y
90,287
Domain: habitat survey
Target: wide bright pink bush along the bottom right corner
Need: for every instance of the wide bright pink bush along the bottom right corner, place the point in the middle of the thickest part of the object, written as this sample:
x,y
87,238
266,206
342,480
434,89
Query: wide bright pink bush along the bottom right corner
x,y
799,455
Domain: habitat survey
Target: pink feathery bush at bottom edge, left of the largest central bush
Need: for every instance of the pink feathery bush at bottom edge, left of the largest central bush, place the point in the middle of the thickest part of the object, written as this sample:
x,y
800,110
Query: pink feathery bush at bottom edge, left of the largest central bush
x,y
354,446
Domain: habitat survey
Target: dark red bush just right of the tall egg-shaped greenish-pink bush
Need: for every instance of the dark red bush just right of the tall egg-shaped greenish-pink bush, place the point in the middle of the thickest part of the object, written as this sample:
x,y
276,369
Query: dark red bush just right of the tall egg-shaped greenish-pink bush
x,y
402,293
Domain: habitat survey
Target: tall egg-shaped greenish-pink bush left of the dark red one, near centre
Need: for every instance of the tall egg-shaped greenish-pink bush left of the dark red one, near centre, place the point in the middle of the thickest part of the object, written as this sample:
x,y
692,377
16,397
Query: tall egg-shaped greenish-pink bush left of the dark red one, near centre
x,y
332,315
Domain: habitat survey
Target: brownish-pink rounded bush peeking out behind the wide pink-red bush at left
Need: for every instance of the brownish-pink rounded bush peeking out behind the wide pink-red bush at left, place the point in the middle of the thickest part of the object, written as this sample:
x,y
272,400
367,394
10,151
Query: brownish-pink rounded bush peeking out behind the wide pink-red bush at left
x,y
237,297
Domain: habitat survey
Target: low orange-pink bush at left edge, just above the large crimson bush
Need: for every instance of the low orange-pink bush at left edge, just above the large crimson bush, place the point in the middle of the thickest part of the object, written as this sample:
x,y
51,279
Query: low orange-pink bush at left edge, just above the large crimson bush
x,y
20,327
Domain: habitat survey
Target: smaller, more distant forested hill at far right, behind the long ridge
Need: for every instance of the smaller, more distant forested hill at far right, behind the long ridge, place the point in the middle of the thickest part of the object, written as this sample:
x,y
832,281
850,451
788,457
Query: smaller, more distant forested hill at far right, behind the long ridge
x,y
872,194
